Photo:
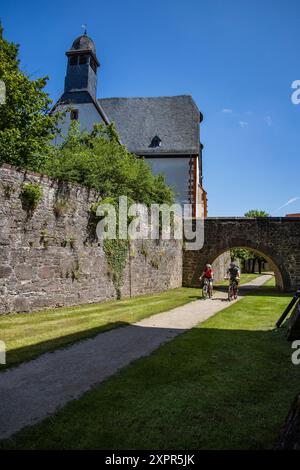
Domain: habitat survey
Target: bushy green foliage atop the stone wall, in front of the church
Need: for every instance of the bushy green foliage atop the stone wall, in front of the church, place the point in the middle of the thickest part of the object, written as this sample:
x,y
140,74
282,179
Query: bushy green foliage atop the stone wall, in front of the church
x,y
97,160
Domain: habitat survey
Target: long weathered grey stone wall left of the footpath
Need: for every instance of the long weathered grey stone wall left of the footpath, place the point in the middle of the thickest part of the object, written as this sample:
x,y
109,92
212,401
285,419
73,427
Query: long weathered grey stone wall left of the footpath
x,y
47,258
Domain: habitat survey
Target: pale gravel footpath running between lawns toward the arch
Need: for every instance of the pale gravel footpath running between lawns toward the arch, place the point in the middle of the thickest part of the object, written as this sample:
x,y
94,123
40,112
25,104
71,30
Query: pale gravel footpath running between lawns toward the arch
x,y
33,390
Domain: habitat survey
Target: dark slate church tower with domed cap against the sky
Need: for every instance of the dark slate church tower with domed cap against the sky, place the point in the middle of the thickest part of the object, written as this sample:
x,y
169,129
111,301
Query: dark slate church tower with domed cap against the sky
x,y
82,66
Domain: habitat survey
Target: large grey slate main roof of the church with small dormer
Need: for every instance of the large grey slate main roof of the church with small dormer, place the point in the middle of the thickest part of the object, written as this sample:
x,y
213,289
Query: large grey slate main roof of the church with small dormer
x,y
174,119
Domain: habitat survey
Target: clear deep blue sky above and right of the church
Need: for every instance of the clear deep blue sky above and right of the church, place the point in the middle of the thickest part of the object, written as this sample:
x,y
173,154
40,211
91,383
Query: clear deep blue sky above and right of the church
x,y
237,58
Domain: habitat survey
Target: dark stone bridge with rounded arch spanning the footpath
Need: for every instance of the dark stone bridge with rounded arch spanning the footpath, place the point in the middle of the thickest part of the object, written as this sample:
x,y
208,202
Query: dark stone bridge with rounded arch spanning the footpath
x,y
277,239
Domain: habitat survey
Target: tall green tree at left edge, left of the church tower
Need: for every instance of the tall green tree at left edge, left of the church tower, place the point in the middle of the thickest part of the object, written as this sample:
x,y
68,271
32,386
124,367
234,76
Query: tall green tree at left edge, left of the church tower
x,y
26,128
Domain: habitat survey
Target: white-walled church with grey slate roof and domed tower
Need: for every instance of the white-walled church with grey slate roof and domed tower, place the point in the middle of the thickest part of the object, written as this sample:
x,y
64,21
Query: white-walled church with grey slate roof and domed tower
x,y
164,130
